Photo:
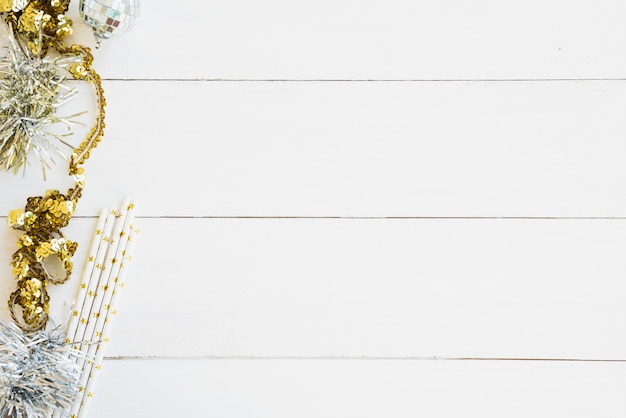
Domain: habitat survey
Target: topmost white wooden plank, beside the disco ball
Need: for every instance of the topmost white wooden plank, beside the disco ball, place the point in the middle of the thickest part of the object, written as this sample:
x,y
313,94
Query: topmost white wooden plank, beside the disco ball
x,y
391,39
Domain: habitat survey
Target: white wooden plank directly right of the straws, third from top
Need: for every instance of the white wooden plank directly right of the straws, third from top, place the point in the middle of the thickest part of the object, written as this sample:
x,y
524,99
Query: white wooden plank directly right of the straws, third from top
x,y
375,288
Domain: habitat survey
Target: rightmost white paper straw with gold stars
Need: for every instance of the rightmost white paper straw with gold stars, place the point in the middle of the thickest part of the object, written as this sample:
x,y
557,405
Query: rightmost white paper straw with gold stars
x,y
117,283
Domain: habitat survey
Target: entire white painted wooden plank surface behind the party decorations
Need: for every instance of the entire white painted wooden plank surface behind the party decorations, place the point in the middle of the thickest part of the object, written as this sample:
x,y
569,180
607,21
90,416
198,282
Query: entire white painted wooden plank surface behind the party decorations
x,y
361,209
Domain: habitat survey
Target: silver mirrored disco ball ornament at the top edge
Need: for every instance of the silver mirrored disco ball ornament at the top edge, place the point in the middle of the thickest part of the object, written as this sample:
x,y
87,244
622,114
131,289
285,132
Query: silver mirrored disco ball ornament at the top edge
x,y
108,18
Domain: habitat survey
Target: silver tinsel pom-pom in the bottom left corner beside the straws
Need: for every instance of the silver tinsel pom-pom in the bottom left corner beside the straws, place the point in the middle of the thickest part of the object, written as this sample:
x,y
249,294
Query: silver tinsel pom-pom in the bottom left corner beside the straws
x,y
38,373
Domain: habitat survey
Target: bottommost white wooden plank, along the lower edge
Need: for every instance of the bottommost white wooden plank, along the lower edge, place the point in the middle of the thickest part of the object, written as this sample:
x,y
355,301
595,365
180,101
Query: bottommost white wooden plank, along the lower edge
x,y
367,389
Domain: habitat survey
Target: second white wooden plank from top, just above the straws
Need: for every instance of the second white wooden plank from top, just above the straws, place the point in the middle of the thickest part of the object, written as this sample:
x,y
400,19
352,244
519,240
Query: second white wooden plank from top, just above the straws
x,y
356,149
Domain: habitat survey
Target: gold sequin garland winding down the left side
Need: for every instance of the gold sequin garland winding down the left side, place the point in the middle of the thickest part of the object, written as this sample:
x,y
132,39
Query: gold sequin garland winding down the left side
x,y
43,25
